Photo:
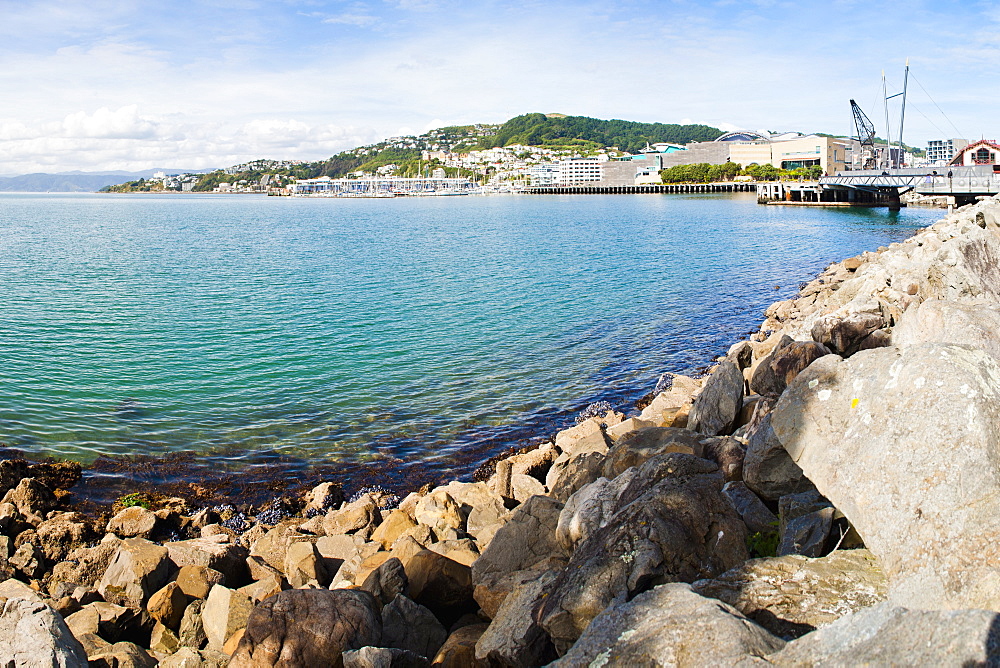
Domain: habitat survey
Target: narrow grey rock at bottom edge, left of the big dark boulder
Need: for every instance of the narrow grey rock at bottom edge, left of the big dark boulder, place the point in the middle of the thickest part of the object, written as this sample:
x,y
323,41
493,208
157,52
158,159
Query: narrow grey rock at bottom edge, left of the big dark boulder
x,y
514,638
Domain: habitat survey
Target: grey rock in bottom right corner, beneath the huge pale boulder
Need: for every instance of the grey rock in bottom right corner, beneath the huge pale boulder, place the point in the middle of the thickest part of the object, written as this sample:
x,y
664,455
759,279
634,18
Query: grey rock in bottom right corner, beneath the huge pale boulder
x,y
890,636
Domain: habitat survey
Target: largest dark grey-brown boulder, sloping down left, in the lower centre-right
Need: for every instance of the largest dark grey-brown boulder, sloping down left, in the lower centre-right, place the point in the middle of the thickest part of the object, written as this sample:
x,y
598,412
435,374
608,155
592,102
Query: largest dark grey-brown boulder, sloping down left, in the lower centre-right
x,y
673,524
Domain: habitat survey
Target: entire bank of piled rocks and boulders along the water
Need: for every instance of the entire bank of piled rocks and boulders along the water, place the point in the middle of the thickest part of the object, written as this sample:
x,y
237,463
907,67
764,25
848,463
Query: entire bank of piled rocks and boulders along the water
x,y
825,496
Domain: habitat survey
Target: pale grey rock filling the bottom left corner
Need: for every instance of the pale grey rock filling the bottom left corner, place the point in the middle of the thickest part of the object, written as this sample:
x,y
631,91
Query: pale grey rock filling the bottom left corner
x,y
34,635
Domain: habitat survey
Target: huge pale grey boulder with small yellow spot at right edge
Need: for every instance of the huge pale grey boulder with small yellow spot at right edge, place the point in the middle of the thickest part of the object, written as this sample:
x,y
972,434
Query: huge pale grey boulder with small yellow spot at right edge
x,y
904,442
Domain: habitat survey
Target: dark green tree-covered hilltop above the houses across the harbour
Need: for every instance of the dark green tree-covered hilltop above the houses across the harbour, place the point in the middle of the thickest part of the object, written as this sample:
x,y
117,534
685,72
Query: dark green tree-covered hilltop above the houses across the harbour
x,y
630,136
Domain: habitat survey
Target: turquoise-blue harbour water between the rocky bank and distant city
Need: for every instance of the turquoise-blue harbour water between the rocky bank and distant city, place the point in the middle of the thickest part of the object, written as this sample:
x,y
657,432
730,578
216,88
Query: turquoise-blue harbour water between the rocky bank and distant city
x,y
254,329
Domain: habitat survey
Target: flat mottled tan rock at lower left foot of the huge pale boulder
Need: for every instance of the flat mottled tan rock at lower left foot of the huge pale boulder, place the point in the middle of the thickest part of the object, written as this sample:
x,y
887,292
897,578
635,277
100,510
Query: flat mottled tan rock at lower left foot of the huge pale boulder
x,y
793,595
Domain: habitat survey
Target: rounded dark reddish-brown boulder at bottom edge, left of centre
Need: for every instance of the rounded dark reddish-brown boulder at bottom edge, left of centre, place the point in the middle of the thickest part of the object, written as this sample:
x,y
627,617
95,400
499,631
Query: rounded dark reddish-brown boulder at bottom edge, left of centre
x,y
308,627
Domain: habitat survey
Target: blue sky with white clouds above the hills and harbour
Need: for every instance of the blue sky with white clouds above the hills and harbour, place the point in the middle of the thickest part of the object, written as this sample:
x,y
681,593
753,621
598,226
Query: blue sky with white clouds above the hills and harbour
x,y
100,85
